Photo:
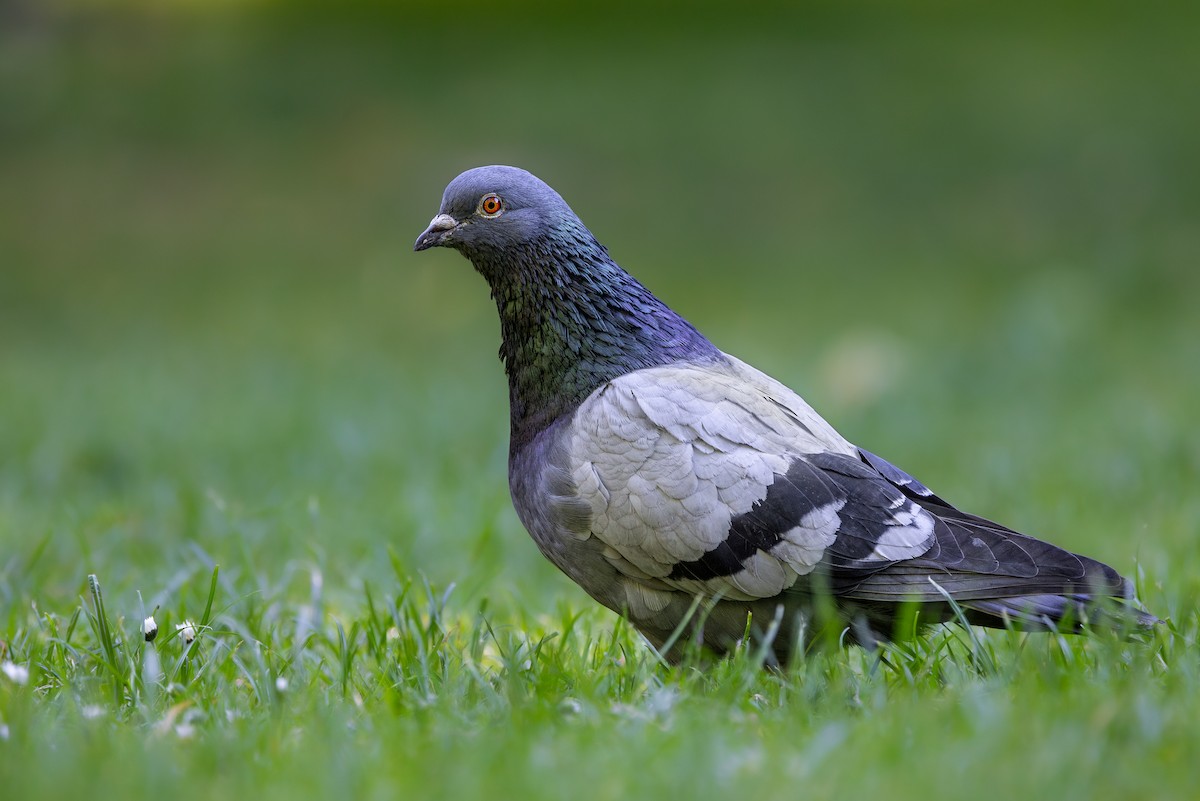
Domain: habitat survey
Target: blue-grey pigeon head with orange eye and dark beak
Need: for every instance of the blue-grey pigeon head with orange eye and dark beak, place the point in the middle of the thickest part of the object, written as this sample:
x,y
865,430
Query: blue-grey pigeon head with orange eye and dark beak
x,y
491,212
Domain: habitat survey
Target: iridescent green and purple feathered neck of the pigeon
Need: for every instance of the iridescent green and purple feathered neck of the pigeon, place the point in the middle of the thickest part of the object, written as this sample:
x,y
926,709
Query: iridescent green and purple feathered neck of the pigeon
x,y
572,321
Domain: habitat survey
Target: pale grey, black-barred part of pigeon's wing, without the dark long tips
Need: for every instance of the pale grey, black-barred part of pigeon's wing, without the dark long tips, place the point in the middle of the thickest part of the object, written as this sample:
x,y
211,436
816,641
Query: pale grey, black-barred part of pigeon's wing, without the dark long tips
x,y
718,480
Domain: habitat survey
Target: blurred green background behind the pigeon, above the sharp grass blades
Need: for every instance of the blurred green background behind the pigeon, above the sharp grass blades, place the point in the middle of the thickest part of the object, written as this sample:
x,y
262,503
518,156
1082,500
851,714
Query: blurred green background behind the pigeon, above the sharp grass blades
x,y
968,236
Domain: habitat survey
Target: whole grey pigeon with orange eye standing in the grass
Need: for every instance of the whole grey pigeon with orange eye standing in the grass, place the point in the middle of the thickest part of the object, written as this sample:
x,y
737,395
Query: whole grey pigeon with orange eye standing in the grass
x,y
703,499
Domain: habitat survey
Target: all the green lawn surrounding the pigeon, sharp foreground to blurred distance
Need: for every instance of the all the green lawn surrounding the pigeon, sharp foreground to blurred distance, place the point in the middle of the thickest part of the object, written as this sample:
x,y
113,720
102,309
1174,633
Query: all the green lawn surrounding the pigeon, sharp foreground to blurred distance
x,y
231,393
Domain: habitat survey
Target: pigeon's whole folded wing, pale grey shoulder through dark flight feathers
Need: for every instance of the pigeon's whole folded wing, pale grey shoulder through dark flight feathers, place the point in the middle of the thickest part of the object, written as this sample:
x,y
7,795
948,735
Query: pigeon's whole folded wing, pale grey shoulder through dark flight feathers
x,y
719,480
